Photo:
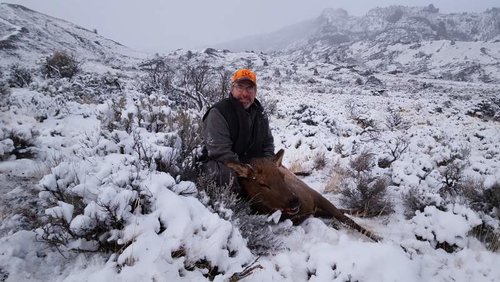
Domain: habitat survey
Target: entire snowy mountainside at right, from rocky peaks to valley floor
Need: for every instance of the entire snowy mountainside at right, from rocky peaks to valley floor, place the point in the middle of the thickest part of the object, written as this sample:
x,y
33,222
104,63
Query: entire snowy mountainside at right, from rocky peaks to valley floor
x,y
397,39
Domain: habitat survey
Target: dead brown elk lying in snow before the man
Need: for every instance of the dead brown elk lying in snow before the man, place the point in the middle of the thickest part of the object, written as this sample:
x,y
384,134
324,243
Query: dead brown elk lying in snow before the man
x,y
272,187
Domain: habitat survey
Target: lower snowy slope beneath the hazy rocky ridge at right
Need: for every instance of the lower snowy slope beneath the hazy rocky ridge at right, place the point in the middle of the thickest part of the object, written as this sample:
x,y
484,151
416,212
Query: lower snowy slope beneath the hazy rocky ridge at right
x,y
443,59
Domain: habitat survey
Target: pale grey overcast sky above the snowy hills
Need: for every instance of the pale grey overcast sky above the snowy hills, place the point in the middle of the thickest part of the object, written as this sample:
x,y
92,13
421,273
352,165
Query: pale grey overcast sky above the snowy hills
x,y
164,25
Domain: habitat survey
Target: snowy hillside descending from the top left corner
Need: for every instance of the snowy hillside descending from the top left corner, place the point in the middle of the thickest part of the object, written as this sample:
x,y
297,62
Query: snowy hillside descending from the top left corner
x,y
27,36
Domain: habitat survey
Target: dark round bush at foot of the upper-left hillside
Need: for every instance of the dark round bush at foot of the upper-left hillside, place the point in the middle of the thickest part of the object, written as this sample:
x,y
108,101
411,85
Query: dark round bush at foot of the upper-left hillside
x,y
60,64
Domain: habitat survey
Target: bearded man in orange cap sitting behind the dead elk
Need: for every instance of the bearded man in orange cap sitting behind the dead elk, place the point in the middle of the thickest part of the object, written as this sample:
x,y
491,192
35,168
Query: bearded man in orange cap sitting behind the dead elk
x,y
236,129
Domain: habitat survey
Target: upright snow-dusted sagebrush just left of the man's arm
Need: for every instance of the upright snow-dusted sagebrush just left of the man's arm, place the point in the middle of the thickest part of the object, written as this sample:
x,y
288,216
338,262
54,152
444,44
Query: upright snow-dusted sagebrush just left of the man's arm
x,y
162,139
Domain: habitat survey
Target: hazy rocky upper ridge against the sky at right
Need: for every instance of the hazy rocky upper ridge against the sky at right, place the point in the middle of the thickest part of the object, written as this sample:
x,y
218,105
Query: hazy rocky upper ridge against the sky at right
x,y
394,24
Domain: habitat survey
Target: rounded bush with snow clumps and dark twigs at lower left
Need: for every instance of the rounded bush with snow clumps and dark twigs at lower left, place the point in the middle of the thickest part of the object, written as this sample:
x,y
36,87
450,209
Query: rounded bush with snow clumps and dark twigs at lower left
x,y
89,215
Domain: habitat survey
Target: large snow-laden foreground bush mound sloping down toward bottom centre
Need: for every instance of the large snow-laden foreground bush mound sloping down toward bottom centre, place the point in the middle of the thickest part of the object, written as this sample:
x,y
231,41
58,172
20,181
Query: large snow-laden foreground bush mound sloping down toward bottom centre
x,y
137,218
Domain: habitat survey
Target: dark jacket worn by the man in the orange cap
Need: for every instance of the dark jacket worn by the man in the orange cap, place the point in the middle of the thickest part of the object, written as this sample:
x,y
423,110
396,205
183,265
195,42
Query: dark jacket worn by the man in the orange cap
x,y
232,132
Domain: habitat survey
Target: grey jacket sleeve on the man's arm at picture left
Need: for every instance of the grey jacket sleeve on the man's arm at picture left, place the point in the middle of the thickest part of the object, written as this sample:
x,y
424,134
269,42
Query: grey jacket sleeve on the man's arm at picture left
x,y
217,137
